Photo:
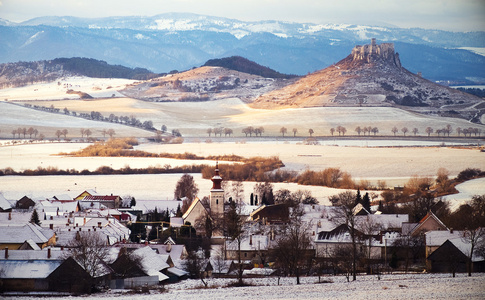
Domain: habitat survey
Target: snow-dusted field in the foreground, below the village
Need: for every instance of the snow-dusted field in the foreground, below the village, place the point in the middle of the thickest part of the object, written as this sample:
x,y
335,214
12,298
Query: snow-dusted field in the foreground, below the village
x,y
405,286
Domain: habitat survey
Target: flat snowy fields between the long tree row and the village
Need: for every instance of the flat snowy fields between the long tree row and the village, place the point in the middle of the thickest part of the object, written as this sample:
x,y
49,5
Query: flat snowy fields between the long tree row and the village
x,y
392,165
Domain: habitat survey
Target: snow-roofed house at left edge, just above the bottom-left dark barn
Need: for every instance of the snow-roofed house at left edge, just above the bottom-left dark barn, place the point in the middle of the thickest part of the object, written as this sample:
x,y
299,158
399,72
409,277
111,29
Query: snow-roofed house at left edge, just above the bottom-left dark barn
x,y
14,236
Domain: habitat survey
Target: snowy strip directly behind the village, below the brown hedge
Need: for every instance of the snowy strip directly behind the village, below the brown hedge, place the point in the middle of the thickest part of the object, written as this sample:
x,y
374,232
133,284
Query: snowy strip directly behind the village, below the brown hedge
x,y
150,190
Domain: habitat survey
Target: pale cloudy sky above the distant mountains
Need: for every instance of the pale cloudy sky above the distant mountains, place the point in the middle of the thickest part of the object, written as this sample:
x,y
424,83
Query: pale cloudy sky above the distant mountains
x,y
451,15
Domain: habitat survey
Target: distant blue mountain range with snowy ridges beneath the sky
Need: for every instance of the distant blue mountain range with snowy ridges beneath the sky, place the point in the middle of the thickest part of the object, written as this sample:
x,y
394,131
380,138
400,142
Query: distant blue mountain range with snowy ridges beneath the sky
x,y
169,42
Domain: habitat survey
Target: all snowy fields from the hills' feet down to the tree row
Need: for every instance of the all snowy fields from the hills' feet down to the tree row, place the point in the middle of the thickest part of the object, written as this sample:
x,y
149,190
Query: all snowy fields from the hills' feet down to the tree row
x,y
194,118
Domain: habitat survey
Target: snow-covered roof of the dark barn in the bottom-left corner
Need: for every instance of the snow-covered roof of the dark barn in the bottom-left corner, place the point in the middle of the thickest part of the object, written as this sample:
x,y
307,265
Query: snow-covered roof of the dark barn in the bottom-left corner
x,y
28,269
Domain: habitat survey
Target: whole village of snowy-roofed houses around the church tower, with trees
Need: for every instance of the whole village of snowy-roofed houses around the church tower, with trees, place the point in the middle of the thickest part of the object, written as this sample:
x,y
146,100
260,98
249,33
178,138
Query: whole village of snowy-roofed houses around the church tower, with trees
x,y
92,242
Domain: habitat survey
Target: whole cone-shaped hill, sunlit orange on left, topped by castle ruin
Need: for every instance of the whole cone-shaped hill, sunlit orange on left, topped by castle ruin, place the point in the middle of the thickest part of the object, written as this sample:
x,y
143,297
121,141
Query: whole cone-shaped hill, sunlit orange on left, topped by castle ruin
x,y
372,75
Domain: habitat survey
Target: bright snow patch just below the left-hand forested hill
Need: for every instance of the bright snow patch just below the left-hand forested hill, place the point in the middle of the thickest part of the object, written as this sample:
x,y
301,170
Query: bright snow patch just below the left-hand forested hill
x,y
96,87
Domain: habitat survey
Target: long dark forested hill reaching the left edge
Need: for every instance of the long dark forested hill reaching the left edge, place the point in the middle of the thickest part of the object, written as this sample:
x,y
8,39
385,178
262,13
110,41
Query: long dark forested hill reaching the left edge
x,y
21,73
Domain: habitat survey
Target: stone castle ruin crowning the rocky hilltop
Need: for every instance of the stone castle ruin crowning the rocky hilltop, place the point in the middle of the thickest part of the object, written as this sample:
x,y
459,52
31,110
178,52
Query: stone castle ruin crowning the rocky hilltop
x,y
373,52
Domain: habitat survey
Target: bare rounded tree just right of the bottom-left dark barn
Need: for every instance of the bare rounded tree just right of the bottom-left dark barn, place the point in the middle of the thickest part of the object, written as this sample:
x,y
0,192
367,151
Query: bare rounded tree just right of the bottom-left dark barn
x,y
90,250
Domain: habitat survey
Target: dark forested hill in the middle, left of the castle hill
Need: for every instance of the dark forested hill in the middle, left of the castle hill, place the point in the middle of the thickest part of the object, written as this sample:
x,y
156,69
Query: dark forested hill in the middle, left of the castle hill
x,y
241,64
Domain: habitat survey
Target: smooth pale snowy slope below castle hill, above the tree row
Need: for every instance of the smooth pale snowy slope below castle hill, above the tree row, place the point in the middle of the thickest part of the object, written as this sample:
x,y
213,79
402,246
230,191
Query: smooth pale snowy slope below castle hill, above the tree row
x,y
193,118
